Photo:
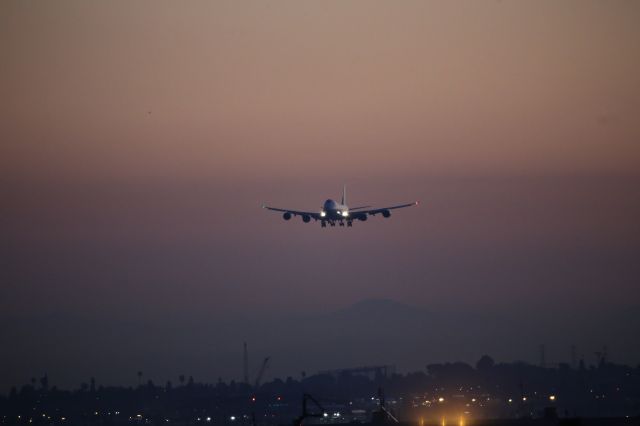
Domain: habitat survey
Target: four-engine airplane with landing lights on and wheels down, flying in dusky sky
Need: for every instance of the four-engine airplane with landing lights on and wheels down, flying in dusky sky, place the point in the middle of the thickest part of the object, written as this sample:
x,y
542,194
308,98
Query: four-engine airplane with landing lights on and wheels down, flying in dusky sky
x,y
333,212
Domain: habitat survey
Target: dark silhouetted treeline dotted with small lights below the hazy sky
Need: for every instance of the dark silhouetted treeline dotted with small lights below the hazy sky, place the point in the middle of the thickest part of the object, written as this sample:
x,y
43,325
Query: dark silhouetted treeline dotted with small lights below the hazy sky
x,y
604,389
